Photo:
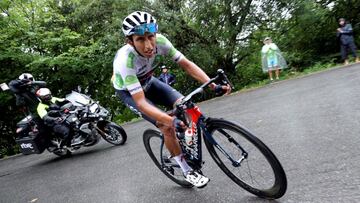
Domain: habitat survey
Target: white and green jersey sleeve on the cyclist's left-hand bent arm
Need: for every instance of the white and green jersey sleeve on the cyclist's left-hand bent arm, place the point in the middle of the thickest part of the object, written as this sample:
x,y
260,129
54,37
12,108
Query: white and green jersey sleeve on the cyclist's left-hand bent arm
x,y
124,77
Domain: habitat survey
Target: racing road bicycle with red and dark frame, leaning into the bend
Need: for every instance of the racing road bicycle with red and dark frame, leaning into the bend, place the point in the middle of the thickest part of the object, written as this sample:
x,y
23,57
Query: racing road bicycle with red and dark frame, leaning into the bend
x,y
243,157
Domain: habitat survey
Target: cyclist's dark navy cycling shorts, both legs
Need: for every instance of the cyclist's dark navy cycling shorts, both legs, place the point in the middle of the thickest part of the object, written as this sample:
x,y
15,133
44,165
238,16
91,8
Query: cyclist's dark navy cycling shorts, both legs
x,y
156,92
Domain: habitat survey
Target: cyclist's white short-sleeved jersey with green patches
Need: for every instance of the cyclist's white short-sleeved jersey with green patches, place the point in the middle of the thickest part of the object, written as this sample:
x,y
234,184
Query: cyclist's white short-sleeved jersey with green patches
x,y
130,67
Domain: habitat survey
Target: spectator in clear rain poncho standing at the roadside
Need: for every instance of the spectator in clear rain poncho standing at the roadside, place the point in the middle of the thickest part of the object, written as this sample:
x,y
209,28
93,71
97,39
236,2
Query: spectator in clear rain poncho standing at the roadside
x,y
271,58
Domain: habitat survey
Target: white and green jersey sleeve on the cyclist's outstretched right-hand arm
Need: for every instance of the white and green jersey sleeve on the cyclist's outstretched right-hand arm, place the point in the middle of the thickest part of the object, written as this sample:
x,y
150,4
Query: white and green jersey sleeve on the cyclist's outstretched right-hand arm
x,y
167,49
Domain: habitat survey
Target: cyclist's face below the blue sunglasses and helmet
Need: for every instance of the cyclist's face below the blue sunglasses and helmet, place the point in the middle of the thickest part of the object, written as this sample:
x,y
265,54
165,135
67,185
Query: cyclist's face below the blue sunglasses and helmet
x,y
145,44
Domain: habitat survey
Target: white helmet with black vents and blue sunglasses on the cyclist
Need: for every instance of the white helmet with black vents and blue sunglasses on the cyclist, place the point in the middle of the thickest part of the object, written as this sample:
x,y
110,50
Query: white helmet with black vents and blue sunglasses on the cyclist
x,y
139,22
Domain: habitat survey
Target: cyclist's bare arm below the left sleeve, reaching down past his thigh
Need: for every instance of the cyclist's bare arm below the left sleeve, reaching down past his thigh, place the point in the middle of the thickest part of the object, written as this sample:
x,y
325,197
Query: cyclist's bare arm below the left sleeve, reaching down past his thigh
x,y
150,110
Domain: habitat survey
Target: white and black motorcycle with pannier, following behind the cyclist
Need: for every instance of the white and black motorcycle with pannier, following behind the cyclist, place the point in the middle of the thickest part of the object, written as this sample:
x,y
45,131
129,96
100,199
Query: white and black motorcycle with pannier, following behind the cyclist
x,y
84,116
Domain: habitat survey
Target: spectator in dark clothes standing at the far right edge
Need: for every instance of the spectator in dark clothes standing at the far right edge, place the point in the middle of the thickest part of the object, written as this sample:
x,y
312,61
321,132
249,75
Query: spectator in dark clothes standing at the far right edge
x,y
345,34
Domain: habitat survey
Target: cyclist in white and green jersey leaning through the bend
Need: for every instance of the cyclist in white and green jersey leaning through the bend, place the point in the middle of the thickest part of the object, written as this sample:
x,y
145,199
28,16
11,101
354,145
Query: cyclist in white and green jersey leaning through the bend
x,y
135,85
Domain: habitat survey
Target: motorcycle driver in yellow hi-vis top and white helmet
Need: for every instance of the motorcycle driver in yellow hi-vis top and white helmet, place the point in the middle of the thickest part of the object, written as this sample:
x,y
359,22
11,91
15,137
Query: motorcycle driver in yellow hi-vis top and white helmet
x,y
49,110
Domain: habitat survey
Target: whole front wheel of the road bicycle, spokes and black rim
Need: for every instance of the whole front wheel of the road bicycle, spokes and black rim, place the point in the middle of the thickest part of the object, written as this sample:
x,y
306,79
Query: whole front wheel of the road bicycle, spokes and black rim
x,y
257,170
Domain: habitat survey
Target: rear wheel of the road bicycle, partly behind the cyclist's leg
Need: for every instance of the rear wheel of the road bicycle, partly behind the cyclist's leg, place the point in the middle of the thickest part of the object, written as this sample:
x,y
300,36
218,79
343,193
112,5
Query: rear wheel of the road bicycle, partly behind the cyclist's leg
x,y
155,147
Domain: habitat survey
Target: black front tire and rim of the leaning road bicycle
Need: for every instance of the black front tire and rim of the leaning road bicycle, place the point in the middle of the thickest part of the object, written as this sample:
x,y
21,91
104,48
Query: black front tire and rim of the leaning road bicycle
x,y
279,186
